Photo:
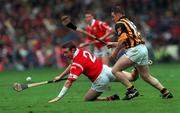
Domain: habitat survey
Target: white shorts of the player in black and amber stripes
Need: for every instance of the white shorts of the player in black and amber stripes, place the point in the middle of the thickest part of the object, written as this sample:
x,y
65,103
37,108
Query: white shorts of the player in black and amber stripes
x,y
138,54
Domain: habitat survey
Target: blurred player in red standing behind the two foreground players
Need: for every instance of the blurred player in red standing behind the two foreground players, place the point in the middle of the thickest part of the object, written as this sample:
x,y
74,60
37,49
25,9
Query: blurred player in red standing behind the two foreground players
x,y
101,30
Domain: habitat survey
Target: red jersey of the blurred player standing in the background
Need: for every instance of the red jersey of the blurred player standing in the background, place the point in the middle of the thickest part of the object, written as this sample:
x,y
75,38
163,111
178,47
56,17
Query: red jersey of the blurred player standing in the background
x,y
98,29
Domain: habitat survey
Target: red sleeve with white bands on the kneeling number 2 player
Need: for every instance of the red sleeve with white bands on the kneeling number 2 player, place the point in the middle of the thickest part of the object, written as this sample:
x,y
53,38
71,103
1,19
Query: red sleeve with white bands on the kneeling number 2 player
x,y
75,71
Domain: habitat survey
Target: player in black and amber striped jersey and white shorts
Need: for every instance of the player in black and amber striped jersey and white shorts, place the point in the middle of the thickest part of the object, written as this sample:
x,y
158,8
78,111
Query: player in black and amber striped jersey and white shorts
x,y
136,54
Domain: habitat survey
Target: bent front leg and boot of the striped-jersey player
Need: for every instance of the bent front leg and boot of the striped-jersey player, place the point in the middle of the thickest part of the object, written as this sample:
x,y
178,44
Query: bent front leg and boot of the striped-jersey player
x,y
122,63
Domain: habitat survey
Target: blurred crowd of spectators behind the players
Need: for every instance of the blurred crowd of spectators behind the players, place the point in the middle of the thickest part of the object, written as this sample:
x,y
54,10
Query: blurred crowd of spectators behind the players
x,y
31,32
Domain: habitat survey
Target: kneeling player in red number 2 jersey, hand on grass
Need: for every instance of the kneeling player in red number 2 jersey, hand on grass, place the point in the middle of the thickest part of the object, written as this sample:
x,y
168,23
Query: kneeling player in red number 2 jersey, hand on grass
x,y
83,62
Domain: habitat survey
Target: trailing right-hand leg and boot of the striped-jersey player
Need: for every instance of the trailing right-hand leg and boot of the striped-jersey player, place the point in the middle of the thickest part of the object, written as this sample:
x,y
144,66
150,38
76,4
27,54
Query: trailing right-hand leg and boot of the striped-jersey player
x,y
144,72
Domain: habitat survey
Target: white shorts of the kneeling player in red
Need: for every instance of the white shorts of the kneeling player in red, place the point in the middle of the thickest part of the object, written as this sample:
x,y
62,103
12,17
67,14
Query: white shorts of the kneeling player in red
x,y
102,82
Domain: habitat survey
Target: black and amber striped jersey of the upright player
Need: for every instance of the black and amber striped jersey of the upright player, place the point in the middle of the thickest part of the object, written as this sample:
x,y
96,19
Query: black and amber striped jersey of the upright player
x,y
127,33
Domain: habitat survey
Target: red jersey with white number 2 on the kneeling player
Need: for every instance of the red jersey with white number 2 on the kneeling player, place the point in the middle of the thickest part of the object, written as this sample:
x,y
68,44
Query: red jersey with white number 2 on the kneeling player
x,y
86,63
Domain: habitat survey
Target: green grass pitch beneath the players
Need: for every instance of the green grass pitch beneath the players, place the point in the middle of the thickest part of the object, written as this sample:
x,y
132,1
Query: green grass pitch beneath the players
x,y
34,100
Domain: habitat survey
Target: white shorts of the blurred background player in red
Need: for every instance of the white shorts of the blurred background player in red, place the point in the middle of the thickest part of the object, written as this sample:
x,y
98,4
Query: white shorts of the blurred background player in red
x,y
103,51
